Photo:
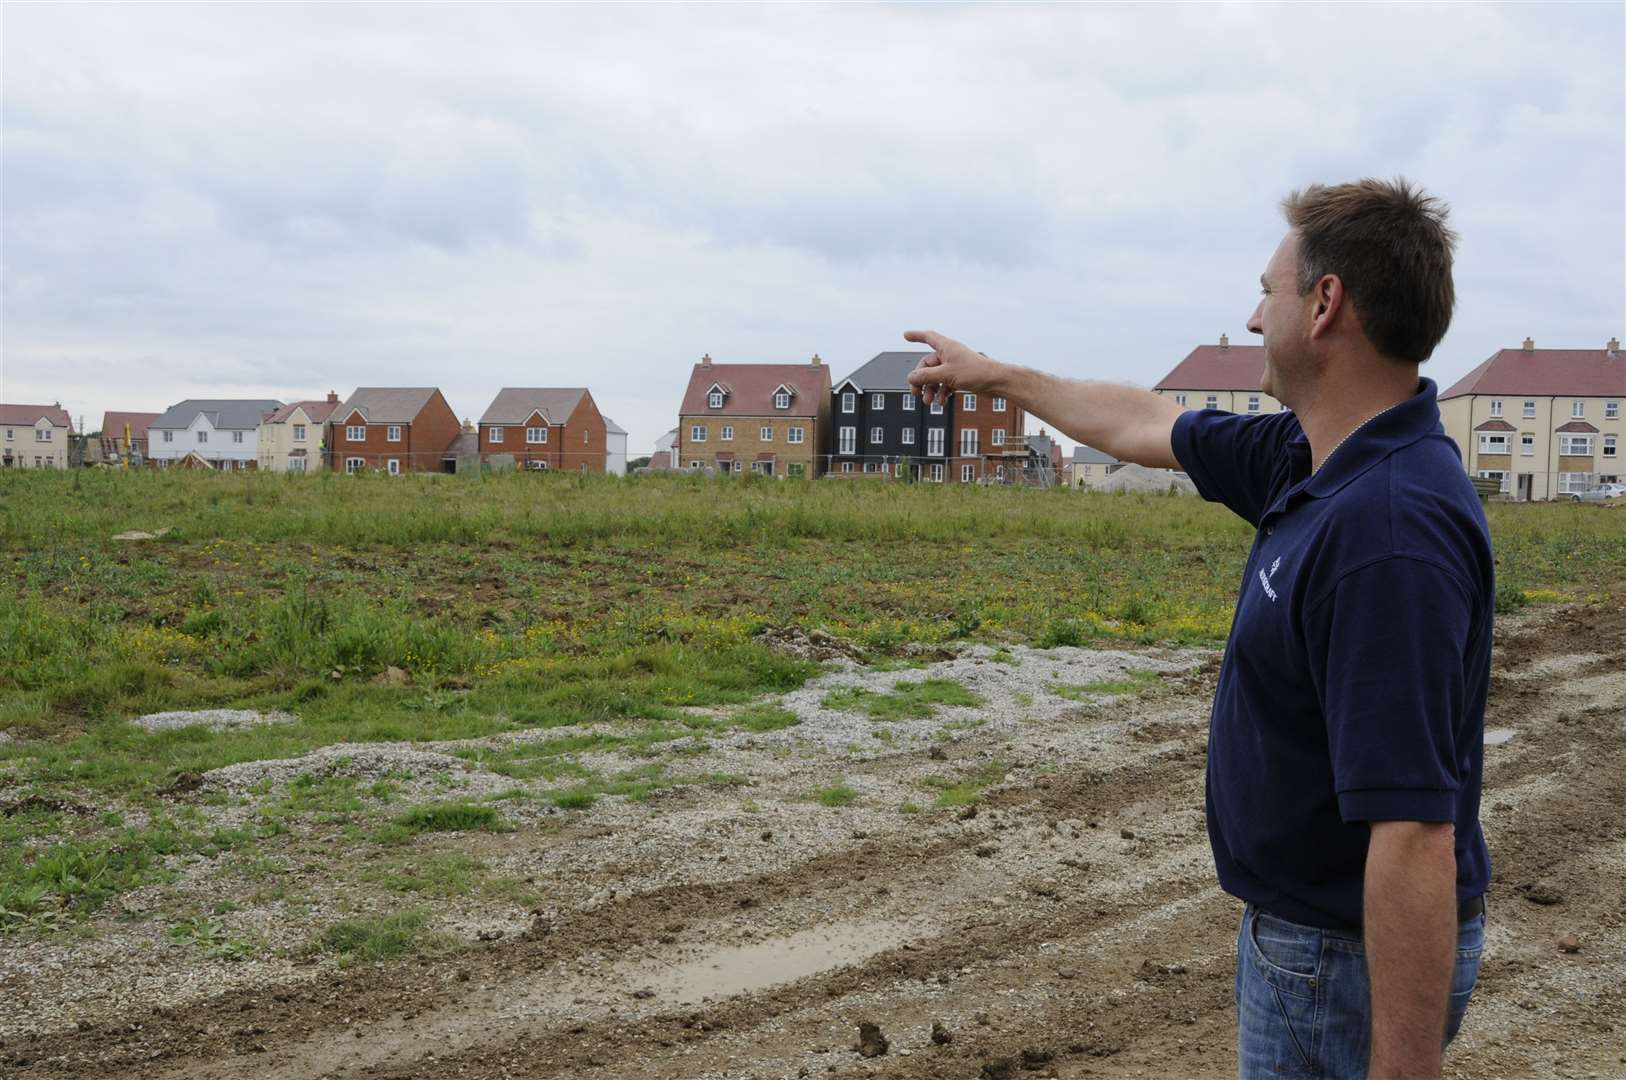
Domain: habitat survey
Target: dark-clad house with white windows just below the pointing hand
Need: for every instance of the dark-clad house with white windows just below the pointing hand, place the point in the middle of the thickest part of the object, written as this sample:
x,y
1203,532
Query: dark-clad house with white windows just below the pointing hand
x,y
880,427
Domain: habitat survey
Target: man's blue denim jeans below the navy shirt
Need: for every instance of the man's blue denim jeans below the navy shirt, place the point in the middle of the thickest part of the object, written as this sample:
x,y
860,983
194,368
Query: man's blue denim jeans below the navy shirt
x,y
1305,1004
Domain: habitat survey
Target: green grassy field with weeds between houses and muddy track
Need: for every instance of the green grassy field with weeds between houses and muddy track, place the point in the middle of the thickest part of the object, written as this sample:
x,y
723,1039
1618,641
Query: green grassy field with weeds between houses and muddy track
x,y
536,603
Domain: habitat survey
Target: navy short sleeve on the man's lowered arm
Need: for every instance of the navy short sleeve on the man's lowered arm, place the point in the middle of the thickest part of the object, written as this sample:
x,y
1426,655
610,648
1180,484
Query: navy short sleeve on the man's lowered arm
x,y
1388,656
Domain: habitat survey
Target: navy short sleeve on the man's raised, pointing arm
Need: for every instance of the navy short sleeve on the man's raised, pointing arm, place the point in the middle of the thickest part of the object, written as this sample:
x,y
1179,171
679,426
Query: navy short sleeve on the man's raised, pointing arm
x,y
1233,458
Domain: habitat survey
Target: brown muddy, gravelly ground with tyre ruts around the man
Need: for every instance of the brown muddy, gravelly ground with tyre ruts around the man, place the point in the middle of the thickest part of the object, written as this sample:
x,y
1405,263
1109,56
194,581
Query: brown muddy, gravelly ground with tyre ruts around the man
x,y
1069,926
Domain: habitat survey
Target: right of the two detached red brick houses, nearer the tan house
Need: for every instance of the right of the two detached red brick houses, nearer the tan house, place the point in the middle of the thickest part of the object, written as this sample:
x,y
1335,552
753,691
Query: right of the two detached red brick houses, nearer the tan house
x,y
546,429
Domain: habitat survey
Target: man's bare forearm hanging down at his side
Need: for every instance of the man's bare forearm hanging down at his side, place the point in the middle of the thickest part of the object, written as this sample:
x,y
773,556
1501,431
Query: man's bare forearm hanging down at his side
x,y
1411,944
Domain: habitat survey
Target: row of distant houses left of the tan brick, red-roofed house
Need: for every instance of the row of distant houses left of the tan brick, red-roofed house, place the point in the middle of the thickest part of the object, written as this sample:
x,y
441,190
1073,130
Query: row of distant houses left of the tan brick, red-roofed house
x,y
376,429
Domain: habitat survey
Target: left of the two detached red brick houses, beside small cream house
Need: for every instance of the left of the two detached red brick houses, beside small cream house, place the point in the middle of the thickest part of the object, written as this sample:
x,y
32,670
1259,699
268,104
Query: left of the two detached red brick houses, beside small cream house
x,y
393,429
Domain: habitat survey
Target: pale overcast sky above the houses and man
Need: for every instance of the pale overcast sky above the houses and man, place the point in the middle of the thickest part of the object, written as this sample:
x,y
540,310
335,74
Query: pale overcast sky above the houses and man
x,y
276,201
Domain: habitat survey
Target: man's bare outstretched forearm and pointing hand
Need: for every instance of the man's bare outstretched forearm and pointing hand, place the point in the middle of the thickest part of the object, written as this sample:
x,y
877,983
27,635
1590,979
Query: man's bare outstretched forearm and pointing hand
x,y
1128,424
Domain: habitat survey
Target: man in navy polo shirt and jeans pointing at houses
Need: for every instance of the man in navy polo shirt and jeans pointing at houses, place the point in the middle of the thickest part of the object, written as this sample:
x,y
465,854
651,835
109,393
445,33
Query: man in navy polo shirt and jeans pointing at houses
x,y
1347,731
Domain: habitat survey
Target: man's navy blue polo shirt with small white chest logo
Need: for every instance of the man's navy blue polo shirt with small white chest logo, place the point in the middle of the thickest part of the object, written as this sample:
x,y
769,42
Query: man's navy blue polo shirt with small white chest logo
x,y
1355,677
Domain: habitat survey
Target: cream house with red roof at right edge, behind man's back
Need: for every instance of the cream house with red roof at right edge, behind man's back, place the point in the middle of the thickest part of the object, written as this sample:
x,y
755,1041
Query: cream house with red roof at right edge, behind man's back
x,y
1546,422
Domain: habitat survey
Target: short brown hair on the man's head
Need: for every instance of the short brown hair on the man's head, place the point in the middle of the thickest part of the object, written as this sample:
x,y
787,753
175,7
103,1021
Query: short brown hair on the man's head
x,y
1389,245
